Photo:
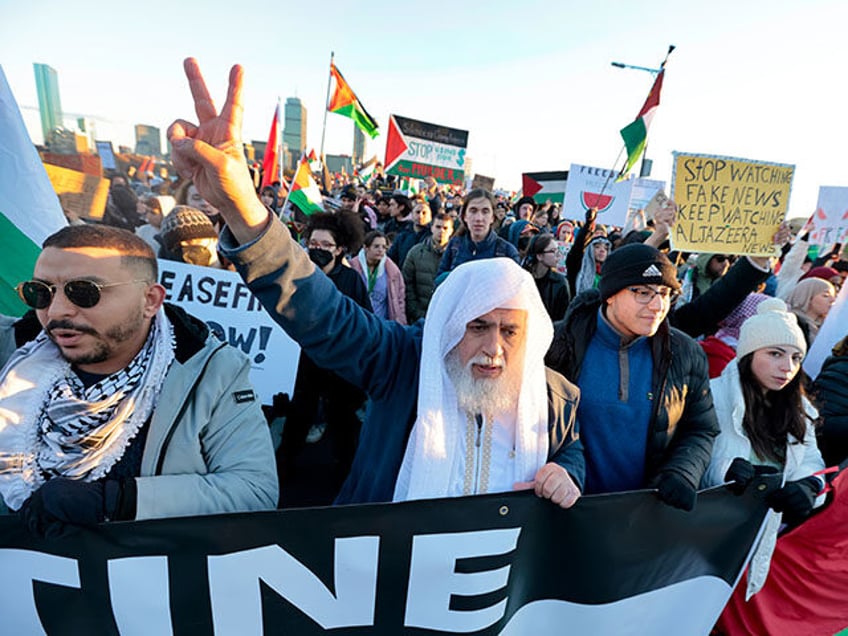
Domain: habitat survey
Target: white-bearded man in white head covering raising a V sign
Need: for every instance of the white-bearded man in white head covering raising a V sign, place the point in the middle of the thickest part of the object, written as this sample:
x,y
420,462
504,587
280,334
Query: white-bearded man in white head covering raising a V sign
x,y
488,417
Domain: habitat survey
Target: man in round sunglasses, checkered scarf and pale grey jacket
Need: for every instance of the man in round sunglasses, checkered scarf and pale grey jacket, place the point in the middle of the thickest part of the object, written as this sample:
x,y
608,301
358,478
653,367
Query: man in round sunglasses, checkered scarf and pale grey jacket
x,y
123,407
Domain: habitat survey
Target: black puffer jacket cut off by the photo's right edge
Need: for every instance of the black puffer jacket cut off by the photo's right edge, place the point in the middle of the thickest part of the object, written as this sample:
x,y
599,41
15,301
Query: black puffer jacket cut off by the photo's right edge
x,y
831,395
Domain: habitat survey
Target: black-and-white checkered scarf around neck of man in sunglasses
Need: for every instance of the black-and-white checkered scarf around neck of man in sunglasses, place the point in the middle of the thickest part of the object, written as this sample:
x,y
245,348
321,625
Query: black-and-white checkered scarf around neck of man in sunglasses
x,y
52,426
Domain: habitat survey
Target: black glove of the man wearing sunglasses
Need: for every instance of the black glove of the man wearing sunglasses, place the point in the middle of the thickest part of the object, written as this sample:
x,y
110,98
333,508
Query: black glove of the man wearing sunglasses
x,y
61,501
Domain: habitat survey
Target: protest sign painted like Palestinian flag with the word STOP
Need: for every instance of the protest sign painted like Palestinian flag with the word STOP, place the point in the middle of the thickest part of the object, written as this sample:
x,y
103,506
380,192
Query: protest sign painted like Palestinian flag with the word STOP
x,y
417,149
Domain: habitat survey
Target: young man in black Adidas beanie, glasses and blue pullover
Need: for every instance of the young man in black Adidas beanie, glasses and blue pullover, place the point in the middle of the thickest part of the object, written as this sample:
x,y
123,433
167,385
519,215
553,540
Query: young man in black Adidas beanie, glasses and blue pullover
x,y
646,414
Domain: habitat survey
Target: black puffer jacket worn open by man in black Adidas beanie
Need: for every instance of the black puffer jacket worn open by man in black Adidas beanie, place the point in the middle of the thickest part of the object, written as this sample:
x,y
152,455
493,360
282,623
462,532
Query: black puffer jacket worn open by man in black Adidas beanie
x,y
683,423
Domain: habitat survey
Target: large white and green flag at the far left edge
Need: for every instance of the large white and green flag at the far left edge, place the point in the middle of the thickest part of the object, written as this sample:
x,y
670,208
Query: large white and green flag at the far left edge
x,y
29,207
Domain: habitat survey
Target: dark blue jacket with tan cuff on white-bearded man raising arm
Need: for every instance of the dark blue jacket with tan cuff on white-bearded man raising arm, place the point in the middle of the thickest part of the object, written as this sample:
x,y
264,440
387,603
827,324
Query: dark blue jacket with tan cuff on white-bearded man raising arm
x,y
381,357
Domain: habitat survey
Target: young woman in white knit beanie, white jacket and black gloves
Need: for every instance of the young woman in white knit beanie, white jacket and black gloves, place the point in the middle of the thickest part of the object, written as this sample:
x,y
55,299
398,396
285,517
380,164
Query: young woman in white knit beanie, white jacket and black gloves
x,y
766,423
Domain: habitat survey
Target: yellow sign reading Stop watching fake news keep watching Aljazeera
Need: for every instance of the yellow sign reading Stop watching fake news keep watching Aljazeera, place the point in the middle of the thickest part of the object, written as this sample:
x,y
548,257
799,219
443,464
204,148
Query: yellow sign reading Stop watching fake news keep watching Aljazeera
x,y
728,205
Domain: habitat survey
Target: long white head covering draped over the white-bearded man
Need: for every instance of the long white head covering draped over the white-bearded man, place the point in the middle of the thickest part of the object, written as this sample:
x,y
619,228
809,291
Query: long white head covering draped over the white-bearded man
x,y
432,458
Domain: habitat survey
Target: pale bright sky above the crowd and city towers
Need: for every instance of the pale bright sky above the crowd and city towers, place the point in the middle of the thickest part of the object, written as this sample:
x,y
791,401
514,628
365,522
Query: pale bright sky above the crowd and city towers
x,y
532,82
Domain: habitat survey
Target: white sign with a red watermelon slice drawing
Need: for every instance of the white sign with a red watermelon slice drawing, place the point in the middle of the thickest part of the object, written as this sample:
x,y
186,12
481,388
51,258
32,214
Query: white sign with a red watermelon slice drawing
x,y
589,187
